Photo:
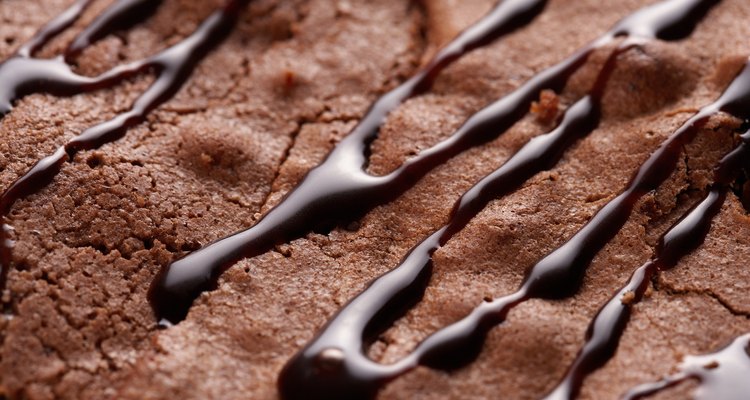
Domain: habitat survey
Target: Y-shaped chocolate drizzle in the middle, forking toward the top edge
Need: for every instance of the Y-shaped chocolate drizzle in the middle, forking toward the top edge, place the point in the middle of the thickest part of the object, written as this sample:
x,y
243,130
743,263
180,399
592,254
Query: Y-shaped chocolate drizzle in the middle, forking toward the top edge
x,y
340,189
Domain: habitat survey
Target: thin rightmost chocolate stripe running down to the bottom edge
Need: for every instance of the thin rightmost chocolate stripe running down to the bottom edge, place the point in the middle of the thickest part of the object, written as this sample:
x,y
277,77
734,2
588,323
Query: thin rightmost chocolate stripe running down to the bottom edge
x,y
607,327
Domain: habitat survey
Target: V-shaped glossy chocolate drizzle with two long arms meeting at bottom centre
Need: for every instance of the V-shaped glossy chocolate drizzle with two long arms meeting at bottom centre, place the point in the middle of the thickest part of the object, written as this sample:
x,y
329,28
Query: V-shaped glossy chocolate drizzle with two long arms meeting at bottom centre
x,y
334,364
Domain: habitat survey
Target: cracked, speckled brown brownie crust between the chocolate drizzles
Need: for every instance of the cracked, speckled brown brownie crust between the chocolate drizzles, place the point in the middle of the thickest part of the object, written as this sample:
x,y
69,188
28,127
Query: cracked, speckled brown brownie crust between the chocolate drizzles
x,y
265,108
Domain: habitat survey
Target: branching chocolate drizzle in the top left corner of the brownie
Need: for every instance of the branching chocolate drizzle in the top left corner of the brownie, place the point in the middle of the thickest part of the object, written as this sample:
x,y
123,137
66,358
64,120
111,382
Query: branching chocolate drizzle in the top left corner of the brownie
x,y
22,75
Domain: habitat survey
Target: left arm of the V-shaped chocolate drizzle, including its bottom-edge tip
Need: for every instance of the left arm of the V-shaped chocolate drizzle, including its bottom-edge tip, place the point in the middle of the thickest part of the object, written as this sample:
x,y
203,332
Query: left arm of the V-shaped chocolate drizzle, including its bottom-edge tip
x,y
334,364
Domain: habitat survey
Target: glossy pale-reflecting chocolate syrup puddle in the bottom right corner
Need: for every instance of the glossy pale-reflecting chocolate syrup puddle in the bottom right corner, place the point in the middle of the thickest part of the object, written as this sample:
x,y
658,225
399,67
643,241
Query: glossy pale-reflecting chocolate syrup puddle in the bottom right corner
x,y
721,375
